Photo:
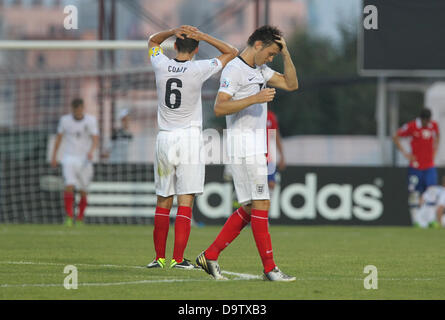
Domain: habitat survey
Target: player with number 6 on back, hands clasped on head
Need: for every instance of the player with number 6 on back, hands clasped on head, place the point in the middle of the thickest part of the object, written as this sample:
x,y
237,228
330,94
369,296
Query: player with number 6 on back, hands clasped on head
x,y
178,168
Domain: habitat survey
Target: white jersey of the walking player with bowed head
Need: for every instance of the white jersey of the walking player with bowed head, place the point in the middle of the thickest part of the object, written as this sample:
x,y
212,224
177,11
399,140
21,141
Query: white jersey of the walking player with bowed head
x,y
246,129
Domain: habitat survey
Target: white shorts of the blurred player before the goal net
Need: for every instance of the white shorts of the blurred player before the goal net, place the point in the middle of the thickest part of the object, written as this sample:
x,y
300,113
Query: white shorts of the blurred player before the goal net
x,y
77,172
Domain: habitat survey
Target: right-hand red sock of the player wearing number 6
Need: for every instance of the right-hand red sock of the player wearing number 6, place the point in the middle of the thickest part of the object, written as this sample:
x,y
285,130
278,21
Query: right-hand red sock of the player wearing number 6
x,y
182,232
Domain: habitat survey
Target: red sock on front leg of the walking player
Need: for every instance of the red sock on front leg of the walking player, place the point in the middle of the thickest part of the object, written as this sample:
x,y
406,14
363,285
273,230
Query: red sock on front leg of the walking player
x,y
260,230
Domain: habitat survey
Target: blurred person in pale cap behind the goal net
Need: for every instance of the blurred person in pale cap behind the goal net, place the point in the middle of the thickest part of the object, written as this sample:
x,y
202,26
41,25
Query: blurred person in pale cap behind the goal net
x,y
117,151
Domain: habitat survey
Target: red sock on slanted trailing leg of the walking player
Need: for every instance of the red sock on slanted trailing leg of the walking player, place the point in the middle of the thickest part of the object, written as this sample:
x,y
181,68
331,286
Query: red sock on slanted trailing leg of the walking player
x,y
231,229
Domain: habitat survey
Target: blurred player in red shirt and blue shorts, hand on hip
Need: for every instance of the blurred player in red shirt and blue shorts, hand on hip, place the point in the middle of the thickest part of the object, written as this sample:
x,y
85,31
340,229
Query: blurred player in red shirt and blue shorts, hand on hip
x,y
424,139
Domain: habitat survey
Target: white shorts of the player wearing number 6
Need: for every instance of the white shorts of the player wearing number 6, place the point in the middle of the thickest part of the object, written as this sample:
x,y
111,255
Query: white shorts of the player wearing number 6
x,y
179,167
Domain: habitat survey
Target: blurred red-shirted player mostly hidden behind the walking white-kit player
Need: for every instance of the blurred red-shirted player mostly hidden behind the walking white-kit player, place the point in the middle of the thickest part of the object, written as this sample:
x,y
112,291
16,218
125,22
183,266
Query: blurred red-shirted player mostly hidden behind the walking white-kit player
x,y
272,124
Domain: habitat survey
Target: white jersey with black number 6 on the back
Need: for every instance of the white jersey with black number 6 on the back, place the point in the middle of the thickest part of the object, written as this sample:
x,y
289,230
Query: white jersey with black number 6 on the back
x,y
178,86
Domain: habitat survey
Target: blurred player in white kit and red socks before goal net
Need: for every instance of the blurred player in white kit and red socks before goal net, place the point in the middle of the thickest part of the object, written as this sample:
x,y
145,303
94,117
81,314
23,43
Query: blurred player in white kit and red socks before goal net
x,y
80,132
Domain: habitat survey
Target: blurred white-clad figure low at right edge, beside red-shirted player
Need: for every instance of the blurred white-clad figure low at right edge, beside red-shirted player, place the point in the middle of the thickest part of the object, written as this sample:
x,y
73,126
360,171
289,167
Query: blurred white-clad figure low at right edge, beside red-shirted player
x,y
432,206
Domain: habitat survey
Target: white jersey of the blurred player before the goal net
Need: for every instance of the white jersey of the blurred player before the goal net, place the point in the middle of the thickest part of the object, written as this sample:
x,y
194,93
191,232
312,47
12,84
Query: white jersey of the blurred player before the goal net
x,y
77,135
